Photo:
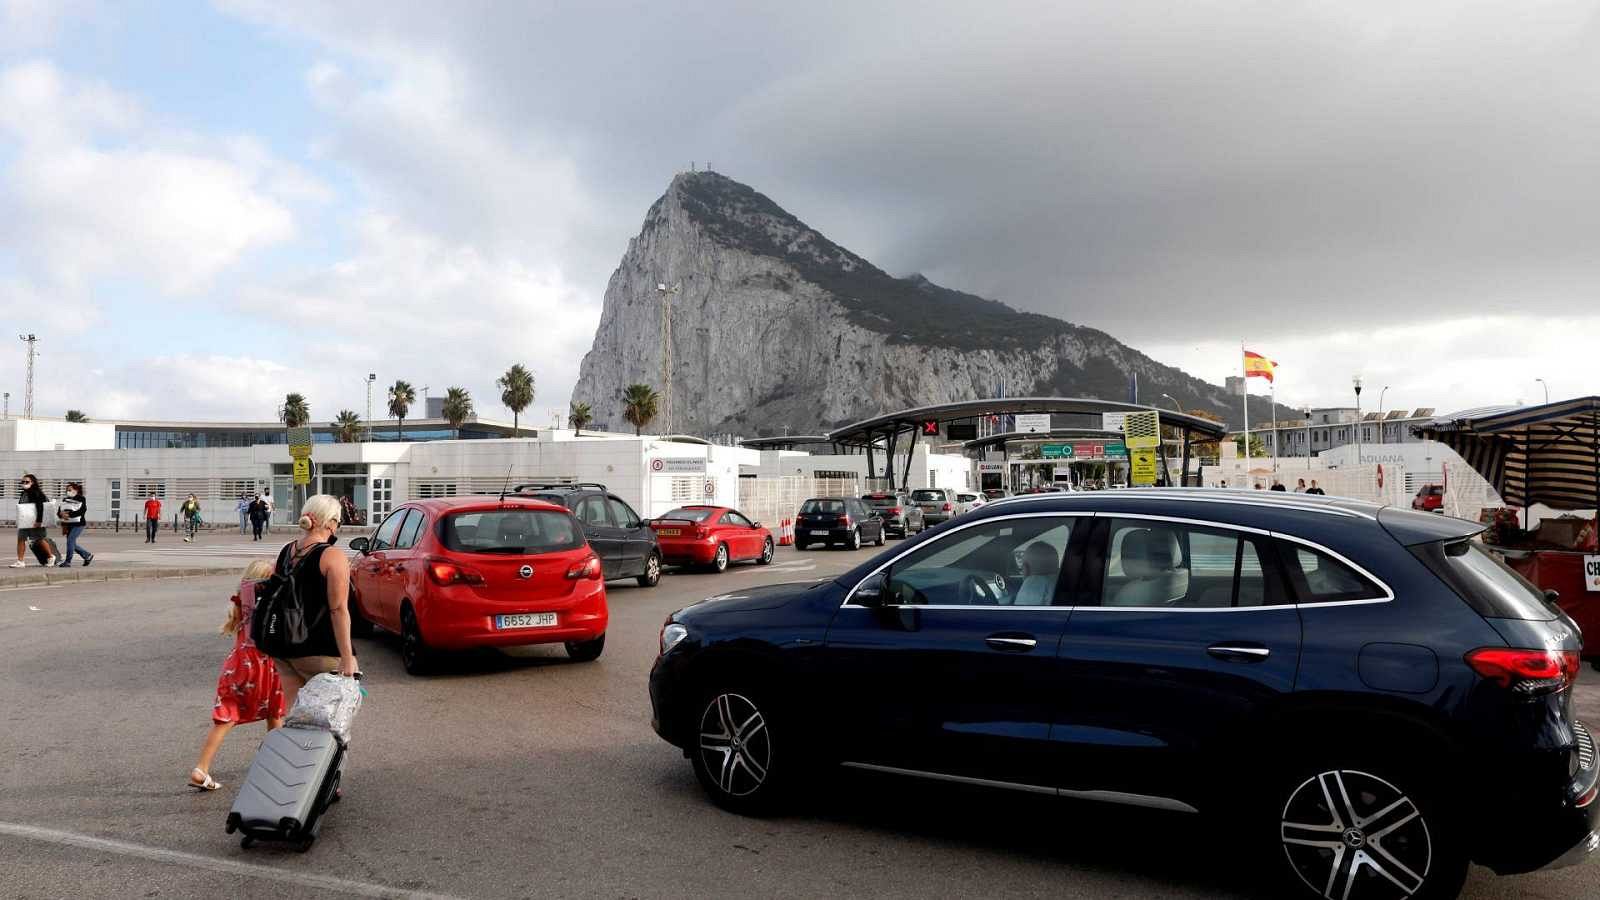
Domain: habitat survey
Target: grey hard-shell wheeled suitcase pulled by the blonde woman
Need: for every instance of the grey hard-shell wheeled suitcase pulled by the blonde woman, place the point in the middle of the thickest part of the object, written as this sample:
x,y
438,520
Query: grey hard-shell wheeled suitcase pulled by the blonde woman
x,y
292,782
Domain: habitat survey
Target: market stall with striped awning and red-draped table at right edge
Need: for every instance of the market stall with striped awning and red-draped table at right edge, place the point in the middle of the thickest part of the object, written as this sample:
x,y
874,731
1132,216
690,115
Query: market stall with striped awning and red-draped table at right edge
x,y
1546,456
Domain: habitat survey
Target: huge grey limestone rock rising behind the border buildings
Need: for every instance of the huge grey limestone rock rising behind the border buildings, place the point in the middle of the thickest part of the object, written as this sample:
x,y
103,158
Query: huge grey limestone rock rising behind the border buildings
x,y
774,327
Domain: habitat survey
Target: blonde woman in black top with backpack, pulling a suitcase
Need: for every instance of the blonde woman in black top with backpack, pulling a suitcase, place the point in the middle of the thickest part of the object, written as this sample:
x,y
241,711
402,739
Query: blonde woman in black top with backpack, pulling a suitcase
x,y
324,585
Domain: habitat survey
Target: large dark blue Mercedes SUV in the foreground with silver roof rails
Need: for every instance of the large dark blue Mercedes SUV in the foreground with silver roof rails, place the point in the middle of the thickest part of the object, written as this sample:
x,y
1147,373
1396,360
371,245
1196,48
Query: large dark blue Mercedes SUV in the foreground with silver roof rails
x,y
1366,696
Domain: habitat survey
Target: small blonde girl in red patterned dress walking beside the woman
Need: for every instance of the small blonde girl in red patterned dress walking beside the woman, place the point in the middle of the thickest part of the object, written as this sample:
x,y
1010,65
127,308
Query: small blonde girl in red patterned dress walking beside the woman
x,y
249,688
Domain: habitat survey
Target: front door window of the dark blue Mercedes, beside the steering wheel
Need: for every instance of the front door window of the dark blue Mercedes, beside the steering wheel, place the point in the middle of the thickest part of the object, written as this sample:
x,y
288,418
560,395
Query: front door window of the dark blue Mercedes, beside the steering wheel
x,y
1001,563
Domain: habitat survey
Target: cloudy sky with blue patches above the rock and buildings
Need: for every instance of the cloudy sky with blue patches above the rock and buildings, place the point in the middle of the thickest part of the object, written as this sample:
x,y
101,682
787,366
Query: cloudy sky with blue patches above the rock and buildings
x,y
207,206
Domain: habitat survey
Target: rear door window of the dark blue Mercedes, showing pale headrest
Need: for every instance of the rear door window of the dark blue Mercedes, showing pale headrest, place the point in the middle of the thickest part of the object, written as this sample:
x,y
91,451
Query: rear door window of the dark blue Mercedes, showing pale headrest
x,y
1166,565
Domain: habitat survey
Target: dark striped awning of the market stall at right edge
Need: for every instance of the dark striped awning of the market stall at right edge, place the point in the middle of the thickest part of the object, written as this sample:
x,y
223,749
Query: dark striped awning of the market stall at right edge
x,y
1546,454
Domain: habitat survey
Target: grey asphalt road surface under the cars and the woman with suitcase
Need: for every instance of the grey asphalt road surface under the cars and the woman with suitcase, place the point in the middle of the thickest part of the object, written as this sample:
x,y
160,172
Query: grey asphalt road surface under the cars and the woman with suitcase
x,y
519,776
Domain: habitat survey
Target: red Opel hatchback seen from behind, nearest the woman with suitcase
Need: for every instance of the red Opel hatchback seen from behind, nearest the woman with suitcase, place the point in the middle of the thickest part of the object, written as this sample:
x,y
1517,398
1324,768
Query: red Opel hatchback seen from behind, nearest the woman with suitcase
x,y
479,573
